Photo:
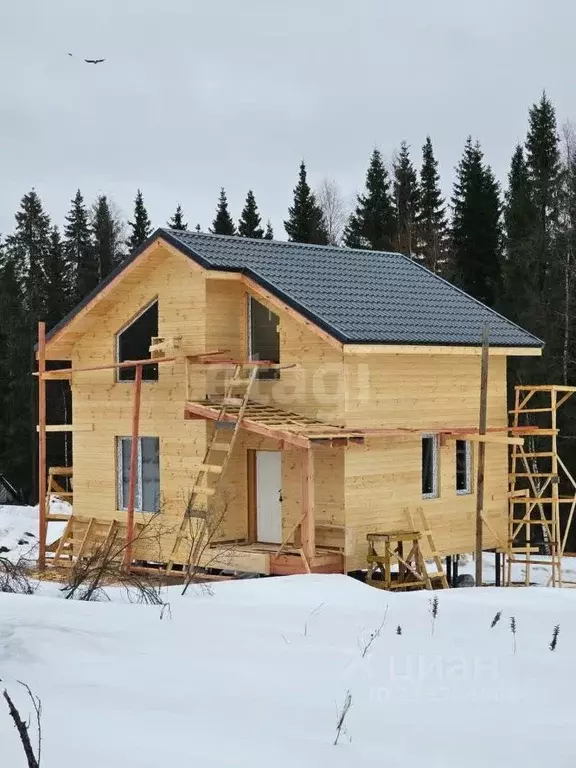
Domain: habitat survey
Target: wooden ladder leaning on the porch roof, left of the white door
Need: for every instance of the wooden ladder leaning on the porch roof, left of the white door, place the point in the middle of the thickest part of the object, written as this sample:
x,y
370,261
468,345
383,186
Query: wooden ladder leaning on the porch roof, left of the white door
x,y
217,455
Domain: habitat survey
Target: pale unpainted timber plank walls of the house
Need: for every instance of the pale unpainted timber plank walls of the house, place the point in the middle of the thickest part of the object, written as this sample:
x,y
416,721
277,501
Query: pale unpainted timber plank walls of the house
x,y
358,488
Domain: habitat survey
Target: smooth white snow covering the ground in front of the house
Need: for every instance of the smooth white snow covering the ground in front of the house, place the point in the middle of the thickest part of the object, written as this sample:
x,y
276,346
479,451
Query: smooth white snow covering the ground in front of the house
x,y
254,675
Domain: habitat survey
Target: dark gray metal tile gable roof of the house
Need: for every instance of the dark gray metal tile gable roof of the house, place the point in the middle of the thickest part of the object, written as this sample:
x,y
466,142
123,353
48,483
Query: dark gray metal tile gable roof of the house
x,y
358,297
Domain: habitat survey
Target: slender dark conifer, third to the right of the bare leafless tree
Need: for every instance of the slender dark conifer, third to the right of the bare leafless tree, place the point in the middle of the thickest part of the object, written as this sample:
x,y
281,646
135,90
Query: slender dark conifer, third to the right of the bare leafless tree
x,y
432,223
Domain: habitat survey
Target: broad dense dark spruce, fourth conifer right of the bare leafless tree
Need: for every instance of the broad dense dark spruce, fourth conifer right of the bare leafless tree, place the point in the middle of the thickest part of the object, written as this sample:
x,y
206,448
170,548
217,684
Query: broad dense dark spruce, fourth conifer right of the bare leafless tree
x,y
476,231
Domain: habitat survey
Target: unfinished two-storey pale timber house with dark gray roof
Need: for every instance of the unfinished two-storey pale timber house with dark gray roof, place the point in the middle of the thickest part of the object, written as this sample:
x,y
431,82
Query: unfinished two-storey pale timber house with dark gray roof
x,y
306,396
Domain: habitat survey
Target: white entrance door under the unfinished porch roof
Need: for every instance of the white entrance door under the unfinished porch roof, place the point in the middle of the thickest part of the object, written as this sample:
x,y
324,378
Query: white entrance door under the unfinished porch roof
x,y
268,496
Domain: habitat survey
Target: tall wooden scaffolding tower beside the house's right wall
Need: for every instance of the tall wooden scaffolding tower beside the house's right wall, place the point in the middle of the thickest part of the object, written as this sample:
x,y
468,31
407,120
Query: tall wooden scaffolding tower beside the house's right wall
x,y
539,517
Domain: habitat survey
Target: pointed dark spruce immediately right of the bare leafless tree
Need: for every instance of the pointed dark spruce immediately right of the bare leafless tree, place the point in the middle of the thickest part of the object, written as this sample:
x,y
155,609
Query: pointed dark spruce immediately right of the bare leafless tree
x,y
373,224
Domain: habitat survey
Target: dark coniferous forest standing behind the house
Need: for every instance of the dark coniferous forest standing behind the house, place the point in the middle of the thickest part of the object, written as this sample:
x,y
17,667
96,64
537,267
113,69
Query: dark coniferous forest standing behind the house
x,y
510,245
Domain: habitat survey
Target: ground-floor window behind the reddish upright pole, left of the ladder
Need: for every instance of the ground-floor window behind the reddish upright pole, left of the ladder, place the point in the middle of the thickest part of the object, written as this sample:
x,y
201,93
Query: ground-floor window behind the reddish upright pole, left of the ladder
x,y
147,497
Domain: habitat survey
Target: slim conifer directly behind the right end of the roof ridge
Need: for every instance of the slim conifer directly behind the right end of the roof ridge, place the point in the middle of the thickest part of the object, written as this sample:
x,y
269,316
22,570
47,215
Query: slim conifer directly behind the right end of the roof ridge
x,y
407,199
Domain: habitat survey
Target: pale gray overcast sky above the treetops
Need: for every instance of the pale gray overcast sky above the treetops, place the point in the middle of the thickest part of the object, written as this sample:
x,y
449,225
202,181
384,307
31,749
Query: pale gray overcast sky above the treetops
x,y
197,95
